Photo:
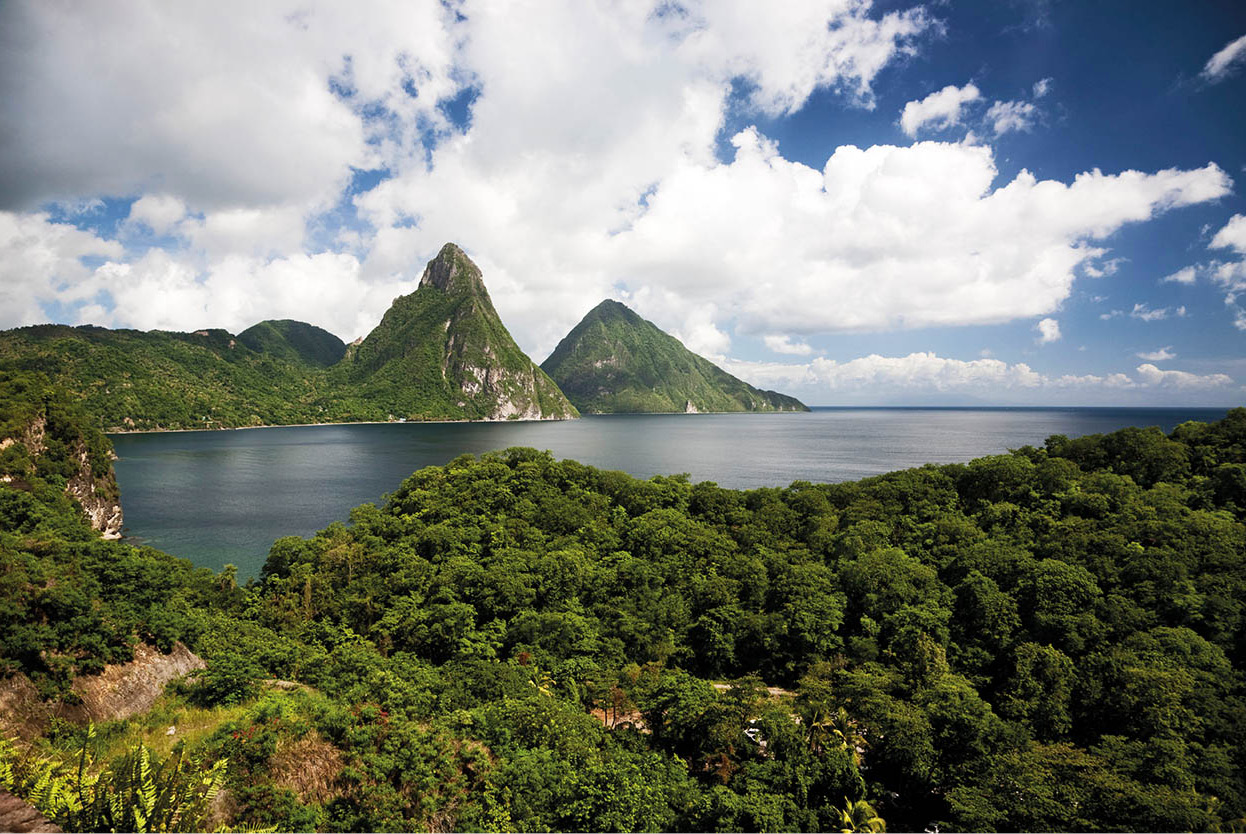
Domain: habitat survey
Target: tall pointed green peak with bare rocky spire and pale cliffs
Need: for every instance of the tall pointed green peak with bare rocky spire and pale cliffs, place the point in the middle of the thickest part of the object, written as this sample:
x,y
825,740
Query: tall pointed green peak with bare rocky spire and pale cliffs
x,y
444,353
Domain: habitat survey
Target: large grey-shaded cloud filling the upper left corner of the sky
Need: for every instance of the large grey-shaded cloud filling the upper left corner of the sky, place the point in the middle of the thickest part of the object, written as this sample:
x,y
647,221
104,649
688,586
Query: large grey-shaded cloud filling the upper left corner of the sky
x,y
219,105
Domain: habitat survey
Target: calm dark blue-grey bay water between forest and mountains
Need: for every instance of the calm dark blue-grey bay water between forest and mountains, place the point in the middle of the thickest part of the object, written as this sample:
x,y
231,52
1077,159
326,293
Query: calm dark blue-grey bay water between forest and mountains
x,y
225,497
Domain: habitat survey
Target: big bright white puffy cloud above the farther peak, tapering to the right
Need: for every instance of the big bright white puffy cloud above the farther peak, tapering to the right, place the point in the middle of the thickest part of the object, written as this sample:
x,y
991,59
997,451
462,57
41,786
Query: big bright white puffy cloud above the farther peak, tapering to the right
x,y
885,237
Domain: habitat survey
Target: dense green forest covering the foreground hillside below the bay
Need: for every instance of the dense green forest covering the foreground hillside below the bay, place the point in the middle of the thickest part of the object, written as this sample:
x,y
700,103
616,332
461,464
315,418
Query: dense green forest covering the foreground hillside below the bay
x,y
1047,640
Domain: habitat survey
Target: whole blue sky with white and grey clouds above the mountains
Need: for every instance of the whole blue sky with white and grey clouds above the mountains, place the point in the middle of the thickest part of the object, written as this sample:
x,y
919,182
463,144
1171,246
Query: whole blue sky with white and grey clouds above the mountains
x,y
1005,203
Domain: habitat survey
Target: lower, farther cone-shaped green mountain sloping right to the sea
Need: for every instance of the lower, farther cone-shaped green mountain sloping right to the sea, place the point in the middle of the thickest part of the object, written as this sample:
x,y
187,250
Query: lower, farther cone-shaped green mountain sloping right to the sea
x,y
615,362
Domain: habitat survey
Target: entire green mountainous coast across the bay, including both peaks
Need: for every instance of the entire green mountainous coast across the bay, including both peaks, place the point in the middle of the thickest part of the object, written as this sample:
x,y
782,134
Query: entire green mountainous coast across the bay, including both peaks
x,y
439,353
